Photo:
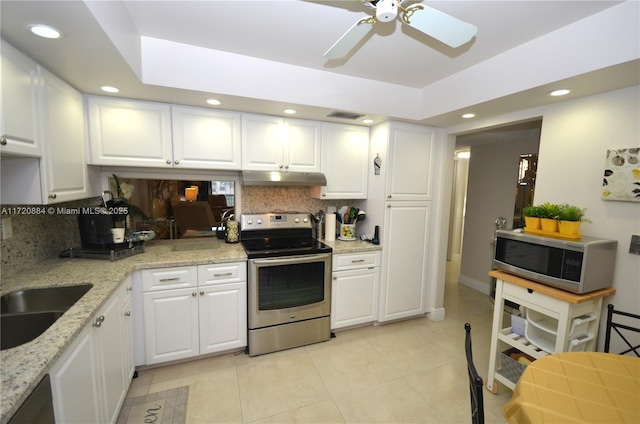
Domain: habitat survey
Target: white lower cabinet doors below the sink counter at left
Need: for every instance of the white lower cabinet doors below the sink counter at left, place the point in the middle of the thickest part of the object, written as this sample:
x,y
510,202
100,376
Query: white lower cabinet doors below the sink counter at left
x,y
88,381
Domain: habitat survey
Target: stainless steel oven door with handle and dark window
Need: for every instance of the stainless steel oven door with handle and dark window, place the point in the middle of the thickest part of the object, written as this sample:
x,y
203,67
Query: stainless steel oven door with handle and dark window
x,y
288,289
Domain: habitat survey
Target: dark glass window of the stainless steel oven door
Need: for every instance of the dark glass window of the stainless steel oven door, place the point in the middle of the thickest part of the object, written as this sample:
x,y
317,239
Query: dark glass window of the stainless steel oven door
x,y
288,286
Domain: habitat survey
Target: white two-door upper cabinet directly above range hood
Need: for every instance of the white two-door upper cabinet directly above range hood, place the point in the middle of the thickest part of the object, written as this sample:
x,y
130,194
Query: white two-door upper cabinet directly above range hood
x,y
271,143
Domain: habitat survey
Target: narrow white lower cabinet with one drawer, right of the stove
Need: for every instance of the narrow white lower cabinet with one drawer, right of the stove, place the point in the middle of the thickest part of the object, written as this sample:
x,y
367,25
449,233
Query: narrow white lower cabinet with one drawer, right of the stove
x,y
354,289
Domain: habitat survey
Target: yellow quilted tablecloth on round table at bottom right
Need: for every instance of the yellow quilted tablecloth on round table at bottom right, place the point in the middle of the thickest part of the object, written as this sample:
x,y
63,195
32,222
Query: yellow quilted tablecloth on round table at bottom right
x,y
585,387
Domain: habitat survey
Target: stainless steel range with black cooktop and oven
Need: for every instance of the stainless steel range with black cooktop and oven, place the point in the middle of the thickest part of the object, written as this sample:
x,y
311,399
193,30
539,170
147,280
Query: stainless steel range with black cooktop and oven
x,y
289,282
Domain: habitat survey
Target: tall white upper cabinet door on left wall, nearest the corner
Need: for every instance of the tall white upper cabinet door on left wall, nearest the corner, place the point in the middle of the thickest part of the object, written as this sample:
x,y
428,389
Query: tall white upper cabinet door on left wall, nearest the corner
x,y
65,162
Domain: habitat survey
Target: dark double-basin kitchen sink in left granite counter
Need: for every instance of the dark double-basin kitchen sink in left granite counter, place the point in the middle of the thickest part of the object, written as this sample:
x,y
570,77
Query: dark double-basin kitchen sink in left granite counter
x,y
26,314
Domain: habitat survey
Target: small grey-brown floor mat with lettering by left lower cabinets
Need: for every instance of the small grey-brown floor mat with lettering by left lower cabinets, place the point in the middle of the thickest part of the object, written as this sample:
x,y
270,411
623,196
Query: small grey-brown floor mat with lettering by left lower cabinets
x,y
169,406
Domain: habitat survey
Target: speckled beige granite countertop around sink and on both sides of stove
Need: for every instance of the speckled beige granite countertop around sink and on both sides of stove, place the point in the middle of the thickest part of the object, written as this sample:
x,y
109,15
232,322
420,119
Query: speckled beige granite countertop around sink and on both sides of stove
x,y
24,366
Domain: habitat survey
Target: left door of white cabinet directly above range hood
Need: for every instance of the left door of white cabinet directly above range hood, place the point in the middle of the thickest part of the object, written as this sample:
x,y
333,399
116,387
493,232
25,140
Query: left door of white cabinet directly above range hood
x,y
262,143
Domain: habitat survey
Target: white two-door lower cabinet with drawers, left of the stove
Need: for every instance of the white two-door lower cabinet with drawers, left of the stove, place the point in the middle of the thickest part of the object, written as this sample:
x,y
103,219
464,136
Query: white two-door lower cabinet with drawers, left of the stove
x,y
208,316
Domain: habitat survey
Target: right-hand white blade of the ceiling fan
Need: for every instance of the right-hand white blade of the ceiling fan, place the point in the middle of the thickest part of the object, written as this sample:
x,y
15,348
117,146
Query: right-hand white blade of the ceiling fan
x,y
445,28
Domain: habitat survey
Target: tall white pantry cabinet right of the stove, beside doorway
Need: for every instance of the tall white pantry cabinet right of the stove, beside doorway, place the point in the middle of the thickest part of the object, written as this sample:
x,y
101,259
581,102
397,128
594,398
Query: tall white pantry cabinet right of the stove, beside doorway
x,y
400,201
